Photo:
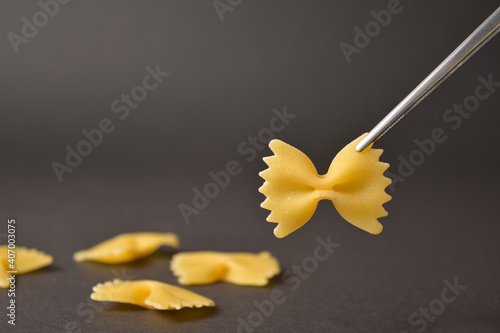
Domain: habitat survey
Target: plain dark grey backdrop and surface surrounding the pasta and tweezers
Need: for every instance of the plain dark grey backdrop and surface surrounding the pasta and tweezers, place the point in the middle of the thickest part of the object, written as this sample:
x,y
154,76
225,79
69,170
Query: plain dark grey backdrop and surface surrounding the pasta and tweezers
x,y
225,78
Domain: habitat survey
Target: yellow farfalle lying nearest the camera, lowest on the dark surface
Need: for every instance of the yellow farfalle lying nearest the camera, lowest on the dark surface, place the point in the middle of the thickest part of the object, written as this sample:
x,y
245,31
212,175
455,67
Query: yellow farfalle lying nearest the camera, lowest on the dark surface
x,y
149,294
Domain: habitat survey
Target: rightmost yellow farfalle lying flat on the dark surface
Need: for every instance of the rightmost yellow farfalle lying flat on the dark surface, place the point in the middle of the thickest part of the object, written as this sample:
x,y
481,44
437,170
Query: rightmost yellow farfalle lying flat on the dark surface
x,y
206,267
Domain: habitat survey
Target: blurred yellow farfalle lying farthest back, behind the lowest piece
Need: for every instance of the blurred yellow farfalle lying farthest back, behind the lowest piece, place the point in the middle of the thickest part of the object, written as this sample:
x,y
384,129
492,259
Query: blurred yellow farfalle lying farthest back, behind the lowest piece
x,y
127,247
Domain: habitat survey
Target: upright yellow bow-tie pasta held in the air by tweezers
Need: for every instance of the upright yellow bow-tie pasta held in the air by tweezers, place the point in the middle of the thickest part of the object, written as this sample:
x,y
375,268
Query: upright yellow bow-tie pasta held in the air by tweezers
x,y
355,183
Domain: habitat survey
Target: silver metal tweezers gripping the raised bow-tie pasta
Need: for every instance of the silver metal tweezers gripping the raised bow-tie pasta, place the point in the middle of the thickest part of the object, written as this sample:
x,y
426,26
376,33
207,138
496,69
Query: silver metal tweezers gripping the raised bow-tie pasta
x,y
487,30
